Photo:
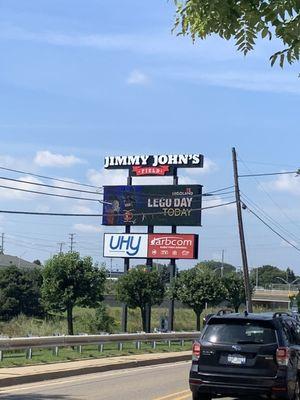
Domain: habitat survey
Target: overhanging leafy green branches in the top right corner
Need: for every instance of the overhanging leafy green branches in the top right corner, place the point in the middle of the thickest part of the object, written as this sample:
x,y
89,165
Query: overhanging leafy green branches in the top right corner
x,y
244,21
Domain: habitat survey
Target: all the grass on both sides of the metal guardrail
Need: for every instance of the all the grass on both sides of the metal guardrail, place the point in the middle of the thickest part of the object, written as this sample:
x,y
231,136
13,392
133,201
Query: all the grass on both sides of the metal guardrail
x,y
24,326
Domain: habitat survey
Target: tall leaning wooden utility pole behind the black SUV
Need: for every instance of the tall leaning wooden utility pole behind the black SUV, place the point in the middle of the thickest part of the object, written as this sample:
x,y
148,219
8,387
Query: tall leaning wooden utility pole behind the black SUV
x,y
241,233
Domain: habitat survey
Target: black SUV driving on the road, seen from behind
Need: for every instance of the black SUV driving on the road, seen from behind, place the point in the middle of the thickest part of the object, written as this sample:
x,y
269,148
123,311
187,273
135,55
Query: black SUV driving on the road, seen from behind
x,y
247,355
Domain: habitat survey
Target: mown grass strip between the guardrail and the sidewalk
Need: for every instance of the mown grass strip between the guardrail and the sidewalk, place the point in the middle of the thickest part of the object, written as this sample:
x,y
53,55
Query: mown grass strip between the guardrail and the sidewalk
x,y
46,356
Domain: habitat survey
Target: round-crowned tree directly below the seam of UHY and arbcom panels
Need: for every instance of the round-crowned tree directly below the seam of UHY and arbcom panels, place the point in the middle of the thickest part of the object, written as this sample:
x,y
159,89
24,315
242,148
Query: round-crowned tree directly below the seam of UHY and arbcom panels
x,y
139,288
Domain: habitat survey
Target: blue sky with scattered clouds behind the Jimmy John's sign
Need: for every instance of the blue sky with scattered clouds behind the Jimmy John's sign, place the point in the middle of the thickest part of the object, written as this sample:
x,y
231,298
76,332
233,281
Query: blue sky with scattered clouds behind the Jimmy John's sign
x,y
83,79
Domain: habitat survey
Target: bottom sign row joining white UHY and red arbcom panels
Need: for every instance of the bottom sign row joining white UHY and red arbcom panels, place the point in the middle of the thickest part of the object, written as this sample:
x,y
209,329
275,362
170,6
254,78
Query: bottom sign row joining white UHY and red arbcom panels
x,y
155,245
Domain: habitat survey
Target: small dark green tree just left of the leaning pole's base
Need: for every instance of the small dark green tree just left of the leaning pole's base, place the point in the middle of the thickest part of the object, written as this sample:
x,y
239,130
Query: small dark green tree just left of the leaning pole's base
x,y
234,284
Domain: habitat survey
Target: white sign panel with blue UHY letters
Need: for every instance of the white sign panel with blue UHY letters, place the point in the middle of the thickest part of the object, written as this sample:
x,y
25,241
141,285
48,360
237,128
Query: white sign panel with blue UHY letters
x,y
125,245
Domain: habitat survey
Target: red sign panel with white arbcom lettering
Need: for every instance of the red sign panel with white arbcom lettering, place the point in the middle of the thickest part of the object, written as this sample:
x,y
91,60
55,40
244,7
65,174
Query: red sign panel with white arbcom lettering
x,y
181,246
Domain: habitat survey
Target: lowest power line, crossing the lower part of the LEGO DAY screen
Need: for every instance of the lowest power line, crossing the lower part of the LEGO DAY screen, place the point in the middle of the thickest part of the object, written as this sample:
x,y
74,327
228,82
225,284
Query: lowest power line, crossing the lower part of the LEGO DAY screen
x,y
101,215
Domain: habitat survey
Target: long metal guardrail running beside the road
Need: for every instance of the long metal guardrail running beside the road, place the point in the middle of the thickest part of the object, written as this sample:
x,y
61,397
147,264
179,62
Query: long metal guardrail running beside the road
x,y
81,340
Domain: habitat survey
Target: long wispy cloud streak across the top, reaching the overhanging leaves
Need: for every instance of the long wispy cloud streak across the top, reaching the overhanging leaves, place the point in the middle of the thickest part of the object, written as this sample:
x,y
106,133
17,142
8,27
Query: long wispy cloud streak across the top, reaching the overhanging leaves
x,y
155,43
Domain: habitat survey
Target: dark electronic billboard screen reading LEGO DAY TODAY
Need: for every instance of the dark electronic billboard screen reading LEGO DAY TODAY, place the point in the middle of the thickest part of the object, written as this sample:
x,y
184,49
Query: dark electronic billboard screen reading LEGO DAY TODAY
x,y
161,205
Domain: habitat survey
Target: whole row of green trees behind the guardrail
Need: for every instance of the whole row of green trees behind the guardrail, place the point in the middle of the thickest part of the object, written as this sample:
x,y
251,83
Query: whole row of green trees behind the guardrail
x,y
68,280
